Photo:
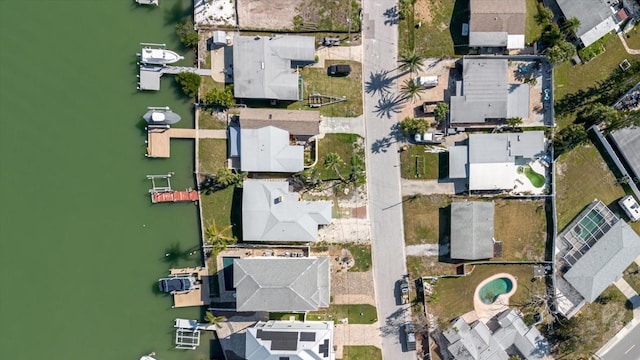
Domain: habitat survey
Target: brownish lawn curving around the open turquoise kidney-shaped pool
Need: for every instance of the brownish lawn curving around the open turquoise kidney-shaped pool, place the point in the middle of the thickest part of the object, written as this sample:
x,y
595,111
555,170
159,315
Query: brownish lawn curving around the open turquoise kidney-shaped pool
x,y
454,296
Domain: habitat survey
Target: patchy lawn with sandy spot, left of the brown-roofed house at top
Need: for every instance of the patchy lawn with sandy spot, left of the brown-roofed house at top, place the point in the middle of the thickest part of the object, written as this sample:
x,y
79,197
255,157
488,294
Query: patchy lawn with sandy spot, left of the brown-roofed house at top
x,y
434,37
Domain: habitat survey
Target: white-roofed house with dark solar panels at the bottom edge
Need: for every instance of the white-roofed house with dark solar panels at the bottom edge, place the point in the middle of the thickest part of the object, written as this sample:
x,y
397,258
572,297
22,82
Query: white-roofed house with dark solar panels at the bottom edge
x,y
293,340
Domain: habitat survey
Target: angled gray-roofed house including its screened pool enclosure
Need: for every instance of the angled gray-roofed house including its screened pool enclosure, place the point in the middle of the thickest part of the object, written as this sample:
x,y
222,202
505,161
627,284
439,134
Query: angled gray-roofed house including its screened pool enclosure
x,y
591,253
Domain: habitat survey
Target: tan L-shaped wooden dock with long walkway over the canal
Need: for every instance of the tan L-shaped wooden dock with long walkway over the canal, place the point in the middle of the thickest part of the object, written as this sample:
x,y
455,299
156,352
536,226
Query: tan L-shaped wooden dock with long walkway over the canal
x,y
159,138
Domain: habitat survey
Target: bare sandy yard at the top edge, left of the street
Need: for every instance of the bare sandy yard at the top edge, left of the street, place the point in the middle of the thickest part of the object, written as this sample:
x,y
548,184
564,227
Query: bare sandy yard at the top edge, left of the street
x,y
261,14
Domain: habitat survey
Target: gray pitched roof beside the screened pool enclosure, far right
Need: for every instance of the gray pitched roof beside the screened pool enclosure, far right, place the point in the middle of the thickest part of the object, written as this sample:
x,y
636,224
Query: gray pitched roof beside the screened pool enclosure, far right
x,y
605,261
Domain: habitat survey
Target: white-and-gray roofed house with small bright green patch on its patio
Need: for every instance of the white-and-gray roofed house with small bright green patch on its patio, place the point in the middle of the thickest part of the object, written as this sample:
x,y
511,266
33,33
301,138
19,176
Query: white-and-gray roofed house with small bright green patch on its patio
x,y
517,163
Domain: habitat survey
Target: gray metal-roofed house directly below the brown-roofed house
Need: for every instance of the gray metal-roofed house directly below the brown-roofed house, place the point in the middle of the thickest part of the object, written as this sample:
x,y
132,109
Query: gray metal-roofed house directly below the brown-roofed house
x,y
484,94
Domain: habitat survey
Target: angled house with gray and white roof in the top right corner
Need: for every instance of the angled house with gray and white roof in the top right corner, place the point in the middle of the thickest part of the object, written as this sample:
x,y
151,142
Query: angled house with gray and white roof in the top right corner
x,y
596,18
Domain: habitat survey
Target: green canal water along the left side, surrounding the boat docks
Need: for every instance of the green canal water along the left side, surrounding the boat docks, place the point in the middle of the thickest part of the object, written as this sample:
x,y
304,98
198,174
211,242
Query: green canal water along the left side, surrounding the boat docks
x,y
81,246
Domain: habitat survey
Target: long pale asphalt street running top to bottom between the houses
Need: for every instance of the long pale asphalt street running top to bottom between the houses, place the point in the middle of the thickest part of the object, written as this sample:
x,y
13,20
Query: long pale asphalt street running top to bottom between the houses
x,y
381,104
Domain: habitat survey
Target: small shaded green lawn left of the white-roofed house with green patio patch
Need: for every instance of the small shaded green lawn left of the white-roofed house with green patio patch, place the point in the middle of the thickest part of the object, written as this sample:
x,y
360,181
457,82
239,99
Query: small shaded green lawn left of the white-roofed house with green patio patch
x,y
435,165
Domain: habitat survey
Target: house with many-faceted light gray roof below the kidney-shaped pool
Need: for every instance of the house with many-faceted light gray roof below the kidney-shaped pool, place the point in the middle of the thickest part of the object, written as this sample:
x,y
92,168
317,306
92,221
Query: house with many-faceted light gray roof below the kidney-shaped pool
x,y
504,335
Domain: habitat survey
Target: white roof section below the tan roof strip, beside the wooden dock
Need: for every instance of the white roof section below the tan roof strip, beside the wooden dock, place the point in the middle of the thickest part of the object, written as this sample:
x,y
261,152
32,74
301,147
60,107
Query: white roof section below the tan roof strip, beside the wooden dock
x,y
267,150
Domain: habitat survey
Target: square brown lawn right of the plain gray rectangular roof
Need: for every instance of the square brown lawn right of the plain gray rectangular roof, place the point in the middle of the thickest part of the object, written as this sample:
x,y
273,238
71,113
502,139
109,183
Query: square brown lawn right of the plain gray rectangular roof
x,y
521,226
